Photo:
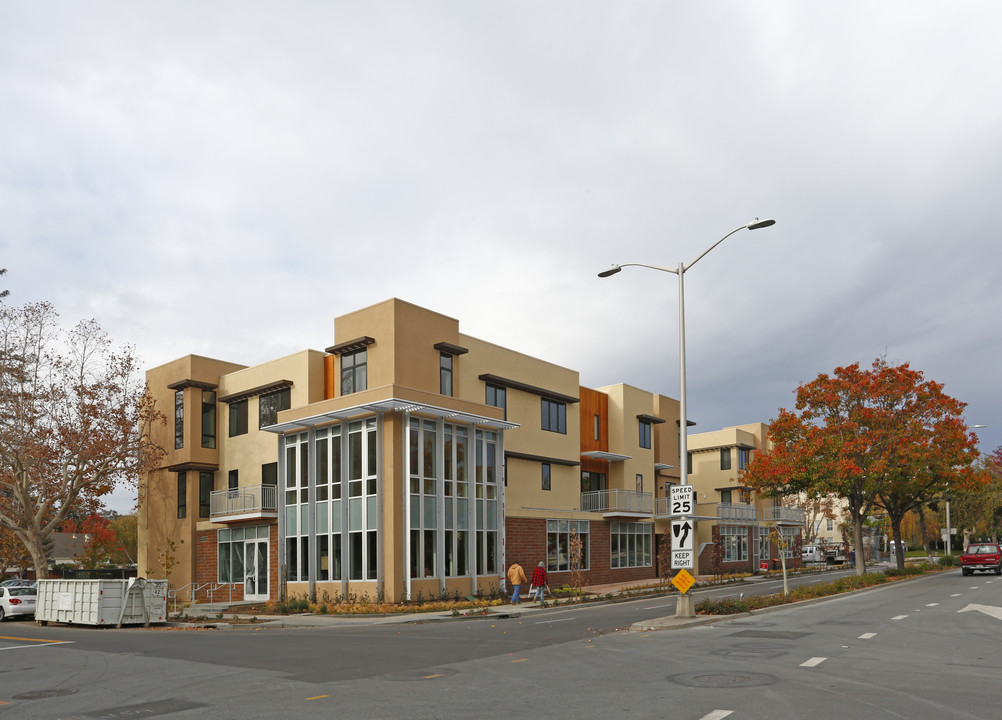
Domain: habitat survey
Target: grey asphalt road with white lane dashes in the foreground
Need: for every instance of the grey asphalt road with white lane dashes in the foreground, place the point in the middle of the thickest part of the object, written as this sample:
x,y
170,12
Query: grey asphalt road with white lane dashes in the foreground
x,y
902,651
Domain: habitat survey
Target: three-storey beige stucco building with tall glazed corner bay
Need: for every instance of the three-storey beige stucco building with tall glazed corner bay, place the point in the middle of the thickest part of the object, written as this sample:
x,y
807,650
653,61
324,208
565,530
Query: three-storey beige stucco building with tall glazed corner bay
x,y
407,460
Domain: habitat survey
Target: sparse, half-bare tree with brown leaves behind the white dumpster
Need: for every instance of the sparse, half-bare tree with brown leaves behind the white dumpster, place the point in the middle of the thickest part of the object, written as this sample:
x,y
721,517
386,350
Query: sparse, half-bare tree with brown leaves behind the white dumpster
x,y
75,423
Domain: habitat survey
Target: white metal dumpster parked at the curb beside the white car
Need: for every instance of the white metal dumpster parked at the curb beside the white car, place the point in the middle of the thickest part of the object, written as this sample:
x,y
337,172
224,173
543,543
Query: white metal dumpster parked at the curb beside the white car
x,y
103,602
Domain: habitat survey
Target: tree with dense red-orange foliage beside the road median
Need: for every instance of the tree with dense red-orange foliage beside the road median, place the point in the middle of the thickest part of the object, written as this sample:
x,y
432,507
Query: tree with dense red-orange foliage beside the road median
x,y
883,437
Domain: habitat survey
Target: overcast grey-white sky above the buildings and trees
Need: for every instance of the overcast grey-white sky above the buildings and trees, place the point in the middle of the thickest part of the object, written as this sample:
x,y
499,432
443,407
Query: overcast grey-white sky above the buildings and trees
x,y
225,179
